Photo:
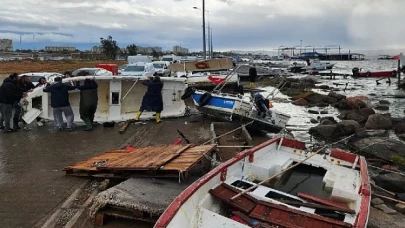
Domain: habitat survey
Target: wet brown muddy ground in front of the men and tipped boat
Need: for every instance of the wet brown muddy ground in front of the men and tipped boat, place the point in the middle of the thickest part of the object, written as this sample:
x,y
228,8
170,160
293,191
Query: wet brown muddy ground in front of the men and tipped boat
x,y
32,183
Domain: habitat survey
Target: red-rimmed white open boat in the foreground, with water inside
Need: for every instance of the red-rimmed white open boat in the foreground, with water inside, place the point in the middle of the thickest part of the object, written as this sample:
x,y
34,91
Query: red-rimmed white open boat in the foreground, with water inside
x,y
326,190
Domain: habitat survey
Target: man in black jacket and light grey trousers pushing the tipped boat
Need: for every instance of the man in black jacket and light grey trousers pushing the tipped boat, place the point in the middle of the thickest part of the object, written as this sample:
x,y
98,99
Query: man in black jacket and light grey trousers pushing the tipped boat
x,y
60,103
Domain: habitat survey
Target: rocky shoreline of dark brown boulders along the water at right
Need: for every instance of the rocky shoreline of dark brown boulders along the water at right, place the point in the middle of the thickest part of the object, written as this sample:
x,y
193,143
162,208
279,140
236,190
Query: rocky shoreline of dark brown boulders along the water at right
x,y
371,136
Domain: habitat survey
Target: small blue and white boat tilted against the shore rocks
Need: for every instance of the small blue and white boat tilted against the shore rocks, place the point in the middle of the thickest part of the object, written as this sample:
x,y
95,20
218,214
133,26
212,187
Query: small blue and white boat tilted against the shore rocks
x,y
242,108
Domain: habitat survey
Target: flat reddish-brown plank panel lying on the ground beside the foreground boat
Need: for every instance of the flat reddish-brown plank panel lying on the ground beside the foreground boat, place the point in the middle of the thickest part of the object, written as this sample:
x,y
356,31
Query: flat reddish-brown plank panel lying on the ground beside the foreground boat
x,y
164,161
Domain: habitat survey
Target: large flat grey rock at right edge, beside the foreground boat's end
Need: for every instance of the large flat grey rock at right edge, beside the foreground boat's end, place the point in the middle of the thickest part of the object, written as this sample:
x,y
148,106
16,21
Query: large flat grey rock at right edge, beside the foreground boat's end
x,y
384,148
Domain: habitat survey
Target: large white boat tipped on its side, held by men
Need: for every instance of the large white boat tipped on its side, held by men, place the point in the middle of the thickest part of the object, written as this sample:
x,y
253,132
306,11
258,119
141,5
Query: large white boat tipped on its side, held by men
x,y
119,98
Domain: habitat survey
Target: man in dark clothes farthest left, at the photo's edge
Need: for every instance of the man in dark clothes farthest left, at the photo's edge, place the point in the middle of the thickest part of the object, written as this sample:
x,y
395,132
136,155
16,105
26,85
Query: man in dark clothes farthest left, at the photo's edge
x,y
9,94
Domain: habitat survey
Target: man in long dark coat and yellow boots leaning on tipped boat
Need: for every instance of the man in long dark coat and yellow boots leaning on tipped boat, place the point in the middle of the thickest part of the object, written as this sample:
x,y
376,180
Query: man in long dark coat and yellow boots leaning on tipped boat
x,y
152,100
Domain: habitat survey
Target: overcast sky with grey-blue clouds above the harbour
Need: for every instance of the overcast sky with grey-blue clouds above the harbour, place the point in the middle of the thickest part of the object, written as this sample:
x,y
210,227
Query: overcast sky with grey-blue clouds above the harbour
x,y
236,24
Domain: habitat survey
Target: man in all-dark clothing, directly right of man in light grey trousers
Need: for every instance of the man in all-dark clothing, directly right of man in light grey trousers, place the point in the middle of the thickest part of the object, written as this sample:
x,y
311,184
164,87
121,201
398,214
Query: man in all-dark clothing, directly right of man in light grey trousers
x,y
88,101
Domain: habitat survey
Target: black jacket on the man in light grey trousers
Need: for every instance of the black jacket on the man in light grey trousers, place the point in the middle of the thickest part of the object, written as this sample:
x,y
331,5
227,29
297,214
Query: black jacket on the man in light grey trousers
x,y
59,94
